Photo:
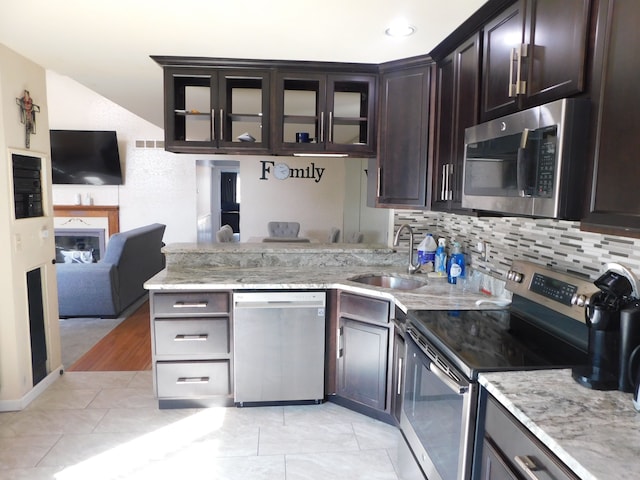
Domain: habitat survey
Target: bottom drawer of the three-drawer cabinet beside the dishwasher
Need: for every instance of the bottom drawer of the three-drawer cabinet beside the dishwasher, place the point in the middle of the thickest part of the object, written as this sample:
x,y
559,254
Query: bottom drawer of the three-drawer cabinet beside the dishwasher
x,y
193,379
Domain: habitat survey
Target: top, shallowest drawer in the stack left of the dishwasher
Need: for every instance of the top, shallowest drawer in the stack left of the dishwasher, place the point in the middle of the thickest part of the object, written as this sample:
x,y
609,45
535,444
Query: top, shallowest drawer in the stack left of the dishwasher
x,y
190,303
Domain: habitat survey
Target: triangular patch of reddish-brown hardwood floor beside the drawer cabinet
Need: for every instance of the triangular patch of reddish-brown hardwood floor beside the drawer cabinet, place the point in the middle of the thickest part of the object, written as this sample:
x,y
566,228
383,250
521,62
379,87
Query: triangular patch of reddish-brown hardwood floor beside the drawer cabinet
x,y
126,348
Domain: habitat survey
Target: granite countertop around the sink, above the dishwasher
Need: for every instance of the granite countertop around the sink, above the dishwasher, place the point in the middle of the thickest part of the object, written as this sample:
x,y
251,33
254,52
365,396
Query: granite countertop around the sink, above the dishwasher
x,y
437,294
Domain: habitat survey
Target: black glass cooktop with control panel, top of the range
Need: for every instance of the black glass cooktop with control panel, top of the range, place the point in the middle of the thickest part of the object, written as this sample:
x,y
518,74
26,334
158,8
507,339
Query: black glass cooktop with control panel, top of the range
x,y
543,327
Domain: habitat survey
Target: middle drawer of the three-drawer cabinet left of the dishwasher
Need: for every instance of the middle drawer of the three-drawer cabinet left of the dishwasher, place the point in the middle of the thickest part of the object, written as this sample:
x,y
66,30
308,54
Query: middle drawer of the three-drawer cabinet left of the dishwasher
x,y
205,336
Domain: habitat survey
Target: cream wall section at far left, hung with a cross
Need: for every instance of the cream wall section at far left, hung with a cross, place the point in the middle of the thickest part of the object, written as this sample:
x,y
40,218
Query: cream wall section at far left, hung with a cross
x,y
25,244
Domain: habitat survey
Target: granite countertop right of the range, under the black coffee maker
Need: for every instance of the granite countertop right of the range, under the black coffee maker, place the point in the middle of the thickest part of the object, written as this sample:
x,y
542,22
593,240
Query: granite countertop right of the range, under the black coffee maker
x,y
595,433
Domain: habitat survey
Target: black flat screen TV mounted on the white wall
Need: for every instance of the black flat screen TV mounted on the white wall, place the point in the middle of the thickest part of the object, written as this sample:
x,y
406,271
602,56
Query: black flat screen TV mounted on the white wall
x,y
85,157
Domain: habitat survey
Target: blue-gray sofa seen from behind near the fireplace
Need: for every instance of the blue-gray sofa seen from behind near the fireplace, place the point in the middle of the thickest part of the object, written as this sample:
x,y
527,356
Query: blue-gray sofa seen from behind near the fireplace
x,y
108,287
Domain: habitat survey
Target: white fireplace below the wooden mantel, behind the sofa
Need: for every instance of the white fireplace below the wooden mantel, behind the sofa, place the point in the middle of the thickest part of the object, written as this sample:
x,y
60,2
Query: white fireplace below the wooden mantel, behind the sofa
x,y
84,245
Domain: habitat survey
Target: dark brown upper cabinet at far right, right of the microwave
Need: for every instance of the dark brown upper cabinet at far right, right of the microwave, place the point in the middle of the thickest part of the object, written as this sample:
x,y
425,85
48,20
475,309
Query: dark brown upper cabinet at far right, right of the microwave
x,y
614,204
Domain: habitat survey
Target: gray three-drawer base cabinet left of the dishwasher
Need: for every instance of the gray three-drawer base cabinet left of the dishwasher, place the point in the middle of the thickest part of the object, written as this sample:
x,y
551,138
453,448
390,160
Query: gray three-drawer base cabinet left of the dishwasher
x,y
192,354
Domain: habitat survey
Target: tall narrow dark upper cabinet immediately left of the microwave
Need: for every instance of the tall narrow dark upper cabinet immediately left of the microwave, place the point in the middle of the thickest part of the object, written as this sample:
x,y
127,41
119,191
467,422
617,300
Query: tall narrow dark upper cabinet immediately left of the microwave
x,y
457,104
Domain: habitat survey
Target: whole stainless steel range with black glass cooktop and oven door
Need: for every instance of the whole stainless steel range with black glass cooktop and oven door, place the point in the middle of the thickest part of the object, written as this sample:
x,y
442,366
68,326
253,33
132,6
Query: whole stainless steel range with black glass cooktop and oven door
x,y
446,350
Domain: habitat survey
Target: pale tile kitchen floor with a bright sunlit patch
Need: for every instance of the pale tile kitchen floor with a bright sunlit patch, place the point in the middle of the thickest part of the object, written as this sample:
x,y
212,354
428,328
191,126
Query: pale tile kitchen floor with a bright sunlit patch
x,y
106,425
